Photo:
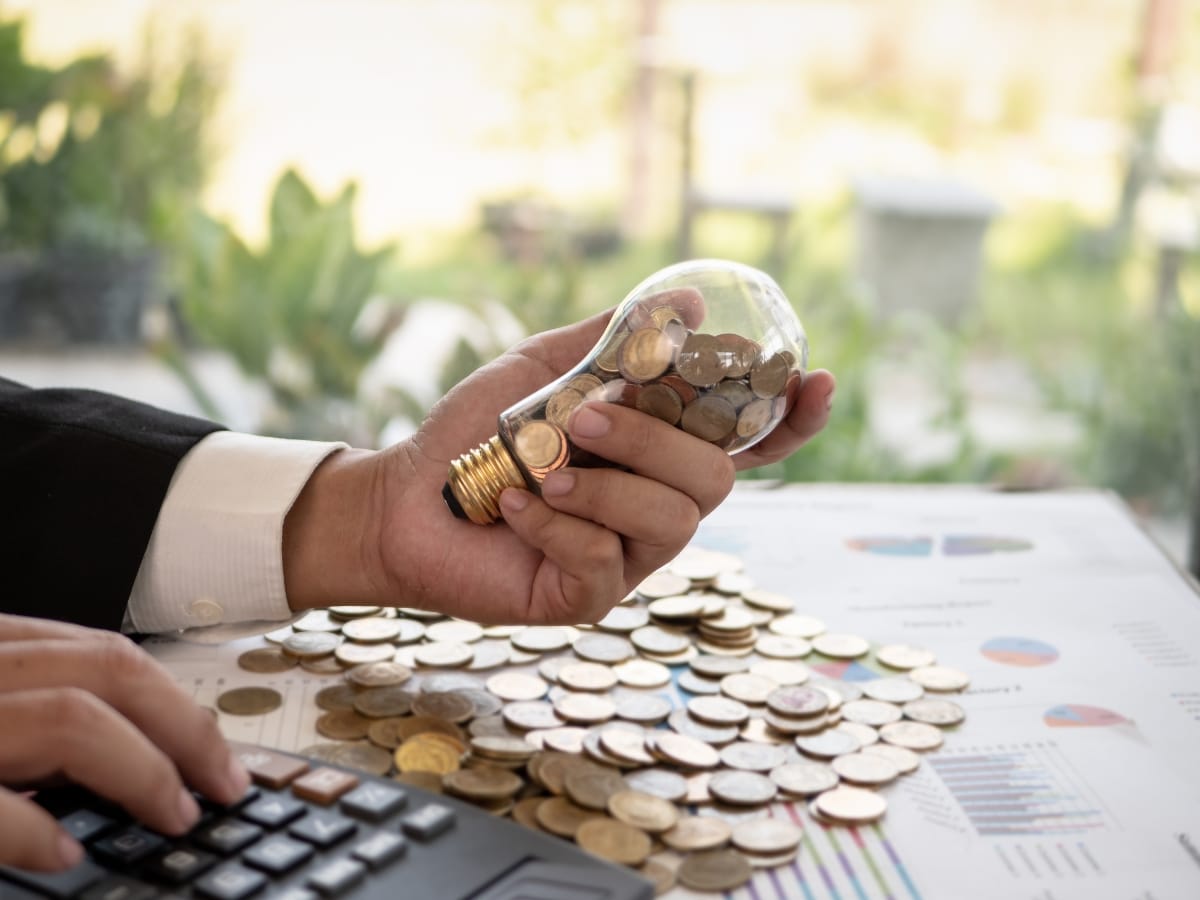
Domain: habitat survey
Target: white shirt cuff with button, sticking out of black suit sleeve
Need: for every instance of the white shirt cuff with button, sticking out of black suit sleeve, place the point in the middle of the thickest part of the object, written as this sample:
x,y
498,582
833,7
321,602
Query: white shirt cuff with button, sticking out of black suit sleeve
x,y
217,554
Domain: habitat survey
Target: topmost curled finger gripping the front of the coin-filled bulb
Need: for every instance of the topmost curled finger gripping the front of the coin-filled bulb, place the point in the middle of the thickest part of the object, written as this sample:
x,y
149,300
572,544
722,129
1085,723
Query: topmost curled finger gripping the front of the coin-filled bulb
x,y
656,451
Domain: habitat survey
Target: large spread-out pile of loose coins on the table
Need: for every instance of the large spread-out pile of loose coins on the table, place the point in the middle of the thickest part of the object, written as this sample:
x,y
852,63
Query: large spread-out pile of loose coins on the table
x,y
662,739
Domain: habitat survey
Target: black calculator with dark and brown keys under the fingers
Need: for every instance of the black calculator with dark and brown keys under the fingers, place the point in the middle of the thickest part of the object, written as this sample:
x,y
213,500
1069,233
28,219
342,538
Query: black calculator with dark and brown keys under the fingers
x,y
309,830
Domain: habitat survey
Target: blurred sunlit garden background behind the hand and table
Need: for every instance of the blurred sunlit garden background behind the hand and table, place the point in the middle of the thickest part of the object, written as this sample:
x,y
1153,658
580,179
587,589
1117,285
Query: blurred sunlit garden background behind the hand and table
x,y
314,218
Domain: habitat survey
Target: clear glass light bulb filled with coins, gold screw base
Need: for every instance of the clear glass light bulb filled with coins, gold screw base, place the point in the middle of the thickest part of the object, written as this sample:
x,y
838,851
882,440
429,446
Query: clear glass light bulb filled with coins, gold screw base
x,y
709,346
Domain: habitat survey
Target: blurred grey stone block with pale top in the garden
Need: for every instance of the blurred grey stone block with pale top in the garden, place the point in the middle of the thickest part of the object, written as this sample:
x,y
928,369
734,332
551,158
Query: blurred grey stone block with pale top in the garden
x,y
920,243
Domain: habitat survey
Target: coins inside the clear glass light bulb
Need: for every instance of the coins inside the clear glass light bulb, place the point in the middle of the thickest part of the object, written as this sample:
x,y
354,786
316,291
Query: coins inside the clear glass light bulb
x,y
725,389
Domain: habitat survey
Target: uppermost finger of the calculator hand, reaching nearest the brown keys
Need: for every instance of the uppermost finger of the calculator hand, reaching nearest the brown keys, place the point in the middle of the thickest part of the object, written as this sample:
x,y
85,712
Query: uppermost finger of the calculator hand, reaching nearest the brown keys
x,y
134,685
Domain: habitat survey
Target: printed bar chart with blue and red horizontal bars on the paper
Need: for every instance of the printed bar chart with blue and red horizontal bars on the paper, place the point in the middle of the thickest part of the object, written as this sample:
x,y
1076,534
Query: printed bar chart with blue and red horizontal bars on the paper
x,y
1018,791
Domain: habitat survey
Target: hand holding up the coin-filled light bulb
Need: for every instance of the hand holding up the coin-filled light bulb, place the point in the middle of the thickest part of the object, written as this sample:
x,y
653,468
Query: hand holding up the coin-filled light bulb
x,y
565,557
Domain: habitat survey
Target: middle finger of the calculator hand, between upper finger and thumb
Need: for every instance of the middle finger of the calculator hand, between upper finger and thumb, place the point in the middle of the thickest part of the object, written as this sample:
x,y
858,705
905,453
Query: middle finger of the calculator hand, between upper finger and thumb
x,y
71,733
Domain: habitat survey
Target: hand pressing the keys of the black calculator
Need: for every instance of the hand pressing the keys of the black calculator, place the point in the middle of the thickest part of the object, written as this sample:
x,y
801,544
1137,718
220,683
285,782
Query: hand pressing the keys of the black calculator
x,y
89,706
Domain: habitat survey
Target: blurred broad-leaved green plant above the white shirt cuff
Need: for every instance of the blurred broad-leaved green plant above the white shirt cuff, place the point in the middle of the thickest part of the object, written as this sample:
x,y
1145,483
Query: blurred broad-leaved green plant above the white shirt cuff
x,y
287,313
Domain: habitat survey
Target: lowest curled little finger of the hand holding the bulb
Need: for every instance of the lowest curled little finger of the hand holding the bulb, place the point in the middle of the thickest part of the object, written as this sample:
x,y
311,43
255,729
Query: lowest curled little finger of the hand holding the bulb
x,y
585,575
